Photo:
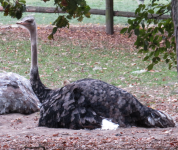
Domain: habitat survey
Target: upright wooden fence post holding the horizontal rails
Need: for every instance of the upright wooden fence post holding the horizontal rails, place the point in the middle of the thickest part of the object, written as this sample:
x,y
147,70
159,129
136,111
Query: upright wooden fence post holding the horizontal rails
x,y
109,17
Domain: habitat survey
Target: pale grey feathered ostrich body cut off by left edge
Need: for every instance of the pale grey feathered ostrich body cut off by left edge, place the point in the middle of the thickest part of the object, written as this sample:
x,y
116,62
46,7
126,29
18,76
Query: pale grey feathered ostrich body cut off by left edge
x,y
16,95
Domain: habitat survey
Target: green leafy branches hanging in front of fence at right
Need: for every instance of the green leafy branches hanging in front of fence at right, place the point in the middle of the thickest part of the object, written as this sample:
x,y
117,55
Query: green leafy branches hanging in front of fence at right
x,y
154,36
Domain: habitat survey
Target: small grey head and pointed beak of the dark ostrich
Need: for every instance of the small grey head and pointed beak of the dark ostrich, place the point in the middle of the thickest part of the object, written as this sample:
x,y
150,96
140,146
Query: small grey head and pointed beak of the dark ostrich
x,y
28,22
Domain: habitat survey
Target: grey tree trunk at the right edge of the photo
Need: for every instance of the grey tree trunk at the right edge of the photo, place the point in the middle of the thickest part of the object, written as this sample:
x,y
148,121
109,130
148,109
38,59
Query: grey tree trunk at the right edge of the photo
x,y
175,21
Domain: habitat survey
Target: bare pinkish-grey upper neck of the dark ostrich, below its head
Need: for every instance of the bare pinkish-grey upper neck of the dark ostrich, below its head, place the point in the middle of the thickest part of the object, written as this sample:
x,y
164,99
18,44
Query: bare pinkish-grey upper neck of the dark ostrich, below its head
x,y
34,56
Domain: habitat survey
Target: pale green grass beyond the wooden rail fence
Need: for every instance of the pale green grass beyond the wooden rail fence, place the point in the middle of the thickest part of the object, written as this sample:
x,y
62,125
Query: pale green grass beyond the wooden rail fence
x,y
120,5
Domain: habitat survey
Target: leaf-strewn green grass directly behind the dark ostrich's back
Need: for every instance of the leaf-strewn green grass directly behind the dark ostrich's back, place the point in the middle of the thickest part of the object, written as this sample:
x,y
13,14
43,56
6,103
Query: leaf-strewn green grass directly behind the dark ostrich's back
x,y
72,62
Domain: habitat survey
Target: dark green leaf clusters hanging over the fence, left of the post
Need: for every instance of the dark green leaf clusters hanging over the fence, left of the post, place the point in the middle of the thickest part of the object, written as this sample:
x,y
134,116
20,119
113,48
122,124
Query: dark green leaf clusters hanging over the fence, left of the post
x,y
75,9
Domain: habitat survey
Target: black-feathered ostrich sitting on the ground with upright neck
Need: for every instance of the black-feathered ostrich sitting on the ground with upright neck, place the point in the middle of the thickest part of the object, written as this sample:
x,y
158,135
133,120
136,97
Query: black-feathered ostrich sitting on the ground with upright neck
x,y
86,102
